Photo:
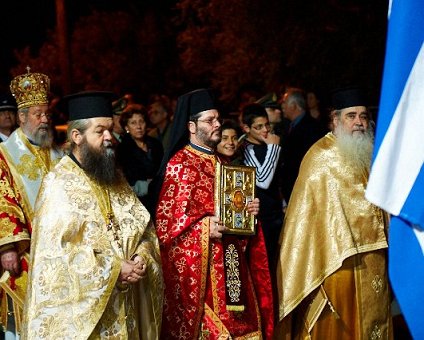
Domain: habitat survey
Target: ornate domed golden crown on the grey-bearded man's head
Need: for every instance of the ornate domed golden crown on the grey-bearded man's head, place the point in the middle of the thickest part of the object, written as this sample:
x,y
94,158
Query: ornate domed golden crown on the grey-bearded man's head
x,y
30,89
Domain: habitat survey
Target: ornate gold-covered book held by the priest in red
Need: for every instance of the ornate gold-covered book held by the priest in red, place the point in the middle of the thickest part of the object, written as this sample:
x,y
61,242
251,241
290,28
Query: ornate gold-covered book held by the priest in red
x,y
234,189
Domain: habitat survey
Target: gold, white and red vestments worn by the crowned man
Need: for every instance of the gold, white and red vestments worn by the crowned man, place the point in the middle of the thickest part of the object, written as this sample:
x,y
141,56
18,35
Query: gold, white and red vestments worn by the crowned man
x,y
22,168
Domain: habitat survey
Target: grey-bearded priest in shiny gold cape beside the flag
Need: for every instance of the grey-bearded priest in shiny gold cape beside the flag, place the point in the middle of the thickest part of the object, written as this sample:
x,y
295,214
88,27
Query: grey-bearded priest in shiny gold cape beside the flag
x,y
332,272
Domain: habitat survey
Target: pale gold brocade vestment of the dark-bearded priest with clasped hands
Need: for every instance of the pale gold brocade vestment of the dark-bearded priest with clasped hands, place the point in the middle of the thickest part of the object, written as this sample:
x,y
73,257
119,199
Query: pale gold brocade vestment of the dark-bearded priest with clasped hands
x,y
73,291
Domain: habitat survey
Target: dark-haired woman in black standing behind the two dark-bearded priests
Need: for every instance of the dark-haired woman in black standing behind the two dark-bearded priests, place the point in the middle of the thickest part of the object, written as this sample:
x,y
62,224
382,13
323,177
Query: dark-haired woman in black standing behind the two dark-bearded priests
x,y
138,154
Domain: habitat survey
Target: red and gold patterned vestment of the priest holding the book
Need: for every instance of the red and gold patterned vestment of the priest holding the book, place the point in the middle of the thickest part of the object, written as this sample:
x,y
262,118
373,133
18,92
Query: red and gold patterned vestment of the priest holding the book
x,y
193,264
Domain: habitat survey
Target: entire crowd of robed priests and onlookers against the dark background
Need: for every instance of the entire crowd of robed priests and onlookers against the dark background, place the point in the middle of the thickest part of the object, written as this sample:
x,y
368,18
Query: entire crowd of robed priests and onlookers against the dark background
x,y
112,231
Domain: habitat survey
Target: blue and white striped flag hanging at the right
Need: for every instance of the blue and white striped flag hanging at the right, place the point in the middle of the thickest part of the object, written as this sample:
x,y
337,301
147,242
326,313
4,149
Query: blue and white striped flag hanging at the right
x,y
397,176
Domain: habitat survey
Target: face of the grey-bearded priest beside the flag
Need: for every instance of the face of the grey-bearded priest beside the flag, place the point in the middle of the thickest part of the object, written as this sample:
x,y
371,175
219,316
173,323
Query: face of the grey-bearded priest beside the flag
x,y
354,120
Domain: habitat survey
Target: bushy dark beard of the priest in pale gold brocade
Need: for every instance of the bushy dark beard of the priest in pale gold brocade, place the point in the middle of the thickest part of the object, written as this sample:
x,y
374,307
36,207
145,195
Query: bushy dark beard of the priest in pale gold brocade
x,y
100,165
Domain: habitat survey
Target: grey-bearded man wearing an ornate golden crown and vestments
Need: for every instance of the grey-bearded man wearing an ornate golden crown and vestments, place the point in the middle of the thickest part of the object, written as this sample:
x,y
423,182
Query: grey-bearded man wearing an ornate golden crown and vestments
x,y
25,158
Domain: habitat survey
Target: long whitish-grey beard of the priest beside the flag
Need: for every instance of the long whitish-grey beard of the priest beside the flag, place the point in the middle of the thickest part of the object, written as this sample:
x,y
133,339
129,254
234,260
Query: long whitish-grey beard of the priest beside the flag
x,y
355,149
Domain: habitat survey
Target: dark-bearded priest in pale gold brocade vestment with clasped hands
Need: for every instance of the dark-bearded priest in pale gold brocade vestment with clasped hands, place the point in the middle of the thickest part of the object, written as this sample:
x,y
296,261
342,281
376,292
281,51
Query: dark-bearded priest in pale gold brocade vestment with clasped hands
x,y
95,269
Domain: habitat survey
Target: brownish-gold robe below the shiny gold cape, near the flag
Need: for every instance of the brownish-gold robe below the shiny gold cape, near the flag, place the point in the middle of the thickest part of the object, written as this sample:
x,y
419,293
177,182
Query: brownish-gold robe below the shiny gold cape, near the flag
x,y
360,307
